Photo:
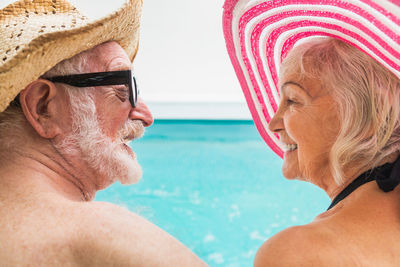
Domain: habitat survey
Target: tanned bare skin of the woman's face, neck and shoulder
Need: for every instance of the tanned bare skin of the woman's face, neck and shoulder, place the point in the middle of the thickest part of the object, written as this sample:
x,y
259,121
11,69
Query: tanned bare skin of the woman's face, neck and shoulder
x,y
362,229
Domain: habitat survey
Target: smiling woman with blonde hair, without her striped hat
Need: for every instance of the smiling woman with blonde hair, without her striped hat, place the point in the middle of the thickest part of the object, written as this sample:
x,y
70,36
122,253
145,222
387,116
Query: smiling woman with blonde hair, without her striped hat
x,y
339,120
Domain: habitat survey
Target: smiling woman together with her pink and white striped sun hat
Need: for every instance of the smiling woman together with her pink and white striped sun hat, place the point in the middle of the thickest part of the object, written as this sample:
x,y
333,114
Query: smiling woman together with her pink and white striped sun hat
x,y
338,124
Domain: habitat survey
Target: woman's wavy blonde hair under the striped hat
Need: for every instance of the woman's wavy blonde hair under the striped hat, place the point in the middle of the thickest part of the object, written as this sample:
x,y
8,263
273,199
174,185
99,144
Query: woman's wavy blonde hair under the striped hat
x,y
367,96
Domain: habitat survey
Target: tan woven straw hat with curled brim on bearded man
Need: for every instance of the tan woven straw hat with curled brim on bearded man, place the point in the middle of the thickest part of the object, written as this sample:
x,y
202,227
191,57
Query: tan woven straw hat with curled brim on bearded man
x,y
35,35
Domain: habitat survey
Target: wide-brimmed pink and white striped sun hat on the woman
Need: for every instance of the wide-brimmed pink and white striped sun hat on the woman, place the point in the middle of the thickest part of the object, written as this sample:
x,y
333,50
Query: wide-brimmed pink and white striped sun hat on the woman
x,y
260,33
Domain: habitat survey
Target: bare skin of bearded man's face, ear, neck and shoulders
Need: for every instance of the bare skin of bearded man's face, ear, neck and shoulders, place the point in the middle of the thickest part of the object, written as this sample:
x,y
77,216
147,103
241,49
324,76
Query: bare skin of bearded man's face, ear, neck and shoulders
x,y
47,216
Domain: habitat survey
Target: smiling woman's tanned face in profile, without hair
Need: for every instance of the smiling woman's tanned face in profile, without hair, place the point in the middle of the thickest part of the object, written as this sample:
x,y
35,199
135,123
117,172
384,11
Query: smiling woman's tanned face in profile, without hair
x,y
307,116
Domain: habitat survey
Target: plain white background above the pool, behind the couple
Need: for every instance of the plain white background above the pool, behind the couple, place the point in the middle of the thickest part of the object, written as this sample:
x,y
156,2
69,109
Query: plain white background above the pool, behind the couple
x,y
182,67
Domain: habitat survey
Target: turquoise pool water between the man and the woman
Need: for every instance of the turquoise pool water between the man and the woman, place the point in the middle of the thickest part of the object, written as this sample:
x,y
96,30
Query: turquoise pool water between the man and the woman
x,y
217,187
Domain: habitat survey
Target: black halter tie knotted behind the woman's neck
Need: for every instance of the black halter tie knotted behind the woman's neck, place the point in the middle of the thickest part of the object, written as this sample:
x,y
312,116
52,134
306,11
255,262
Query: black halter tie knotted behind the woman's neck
x,y
386,176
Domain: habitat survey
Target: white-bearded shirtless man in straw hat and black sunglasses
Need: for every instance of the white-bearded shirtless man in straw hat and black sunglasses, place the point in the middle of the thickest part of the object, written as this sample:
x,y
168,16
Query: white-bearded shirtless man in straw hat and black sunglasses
x,y
63,138
